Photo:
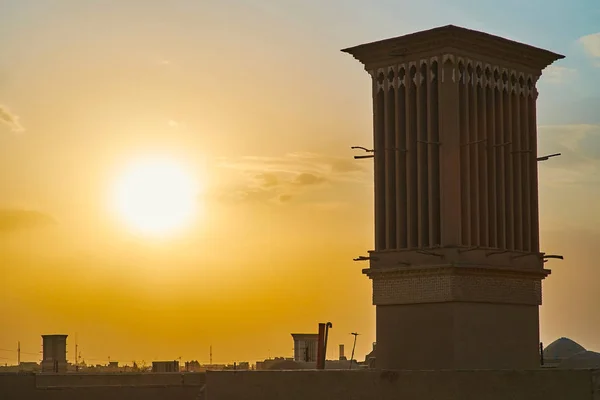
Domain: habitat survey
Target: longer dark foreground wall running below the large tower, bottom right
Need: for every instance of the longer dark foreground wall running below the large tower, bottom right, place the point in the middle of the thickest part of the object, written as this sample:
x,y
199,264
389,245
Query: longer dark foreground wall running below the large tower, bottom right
x,y
404,385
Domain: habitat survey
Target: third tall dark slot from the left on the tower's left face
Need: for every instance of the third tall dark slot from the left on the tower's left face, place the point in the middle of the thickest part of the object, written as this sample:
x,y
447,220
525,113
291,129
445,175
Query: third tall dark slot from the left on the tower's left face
x,y
400,151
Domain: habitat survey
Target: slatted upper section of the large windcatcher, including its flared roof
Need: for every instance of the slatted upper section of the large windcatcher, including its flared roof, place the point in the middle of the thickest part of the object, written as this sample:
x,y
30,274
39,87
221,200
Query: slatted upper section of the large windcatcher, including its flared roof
x,y
455,139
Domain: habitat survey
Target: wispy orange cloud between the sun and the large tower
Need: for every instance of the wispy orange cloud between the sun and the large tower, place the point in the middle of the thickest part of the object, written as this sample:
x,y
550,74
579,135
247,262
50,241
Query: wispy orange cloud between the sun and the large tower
x,y
283,179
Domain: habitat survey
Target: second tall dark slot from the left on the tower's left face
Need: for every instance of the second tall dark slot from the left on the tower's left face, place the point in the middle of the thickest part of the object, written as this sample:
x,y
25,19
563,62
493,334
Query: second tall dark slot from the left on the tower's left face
x,y
390,160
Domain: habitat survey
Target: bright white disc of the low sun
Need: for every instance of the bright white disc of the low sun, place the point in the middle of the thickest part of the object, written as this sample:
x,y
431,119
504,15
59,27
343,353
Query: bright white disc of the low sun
x,y
156,196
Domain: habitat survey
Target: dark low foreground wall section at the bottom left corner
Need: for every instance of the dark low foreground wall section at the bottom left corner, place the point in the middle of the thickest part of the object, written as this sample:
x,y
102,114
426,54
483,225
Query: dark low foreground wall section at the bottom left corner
x,y
124,386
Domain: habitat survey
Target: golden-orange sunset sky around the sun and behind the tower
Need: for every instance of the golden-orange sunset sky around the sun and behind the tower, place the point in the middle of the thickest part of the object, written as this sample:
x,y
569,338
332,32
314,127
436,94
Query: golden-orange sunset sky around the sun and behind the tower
x,y
259,105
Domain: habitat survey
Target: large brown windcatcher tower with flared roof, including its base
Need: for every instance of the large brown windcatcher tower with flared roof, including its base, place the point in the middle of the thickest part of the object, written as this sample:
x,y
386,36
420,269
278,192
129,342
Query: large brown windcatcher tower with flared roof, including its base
x,y
457,267
